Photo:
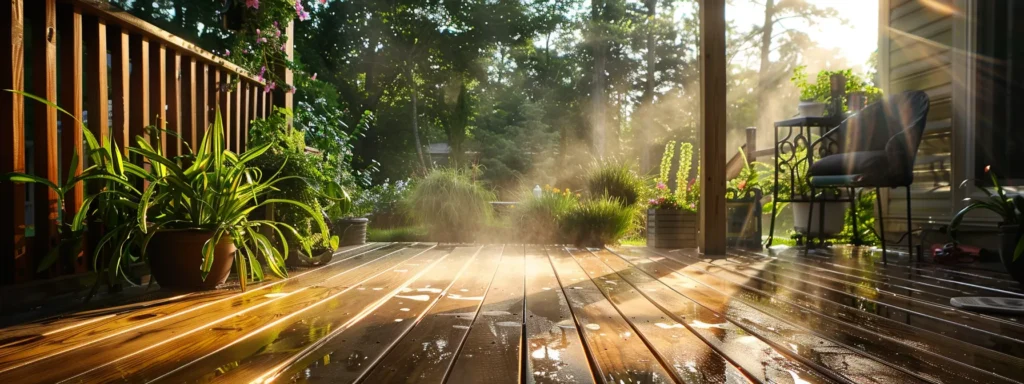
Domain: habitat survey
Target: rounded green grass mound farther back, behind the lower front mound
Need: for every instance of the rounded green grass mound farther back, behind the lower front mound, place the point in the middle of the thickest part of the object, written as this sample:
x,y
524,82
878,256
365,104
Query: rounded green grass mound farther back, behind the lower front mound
x,y
615,180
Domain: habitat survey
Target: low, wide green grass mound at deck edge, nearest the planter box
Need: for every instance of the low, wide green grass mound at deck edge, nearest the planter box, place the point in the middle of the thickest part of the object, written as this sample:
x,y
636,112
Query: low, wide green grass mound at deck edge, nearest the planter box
x,y
596,223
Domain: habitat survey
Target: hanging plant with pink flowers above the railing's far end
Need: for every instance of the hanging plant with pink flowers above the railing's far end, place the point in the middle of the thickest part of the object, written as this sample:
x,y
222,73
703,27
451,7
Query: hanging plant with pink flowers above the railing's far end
x,y
261,36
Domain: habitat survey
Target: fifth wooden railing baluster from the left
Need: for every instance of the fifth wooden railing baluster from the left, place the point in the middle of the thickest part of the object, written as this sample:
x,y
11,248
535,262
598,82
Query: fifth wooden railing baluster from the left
x,y
121,83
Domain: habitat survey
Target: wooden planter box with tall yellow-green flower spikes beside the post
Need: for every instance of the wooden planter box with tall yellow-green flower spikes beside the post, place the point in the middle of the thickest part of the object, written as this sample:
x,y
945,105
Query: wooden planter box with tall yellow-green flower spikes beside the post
x,y
672,216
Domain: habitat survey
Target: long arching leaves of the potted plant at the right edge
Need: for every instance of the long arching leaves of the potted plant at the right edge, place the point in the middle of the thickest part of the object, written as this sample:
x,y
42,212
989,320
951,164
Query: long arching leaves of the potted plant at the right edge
x,y
1010,208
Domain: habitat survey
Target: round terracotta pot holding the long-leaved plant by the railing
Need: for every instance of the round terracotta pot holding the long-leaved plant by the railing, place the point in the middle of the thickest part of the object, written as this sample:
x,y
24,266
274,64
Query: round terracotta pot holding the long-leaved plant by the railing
x,y
176,259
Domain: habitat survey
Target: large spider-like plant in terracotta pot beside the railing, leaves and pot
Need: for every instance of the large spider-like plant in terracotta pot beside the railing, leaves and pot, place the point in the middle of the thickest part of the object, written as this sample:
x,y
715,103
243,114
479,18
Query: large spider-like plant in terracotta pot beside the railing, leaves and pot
x,y
194,217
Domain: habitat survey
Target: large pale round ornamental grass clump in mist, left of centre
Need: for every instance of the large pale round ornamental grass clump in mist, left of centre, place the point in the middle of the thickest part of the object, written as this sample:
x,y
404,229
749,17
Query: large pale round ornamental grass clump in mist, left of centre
x,y
451,204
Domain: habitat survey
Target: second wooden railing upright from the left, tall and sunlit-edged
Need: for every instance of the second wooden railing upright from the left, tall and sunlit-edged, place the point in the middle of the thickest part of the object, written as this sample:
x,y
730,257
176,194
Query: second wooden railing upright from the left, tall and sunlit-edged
x,y
46,86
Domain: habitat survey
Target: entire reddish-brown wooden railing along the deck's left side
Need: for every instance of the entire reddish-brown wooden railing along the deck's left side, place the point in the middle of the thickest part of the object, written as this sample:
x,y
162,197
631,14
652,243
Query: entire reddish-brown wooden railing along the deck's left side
x,y
120,75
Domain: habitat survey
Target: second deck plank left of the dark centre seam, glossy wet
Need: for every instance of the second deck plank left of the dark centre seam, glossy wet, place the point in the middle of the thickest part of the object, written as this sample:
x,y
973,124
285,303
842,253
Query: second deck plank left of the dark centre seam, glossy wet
x,y
425,355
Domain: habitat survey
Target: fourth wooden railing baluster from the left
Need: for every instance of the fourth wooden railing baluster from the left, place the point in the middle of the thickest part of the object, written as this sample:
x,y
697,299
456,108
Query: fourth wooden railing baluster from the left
x,y
96,52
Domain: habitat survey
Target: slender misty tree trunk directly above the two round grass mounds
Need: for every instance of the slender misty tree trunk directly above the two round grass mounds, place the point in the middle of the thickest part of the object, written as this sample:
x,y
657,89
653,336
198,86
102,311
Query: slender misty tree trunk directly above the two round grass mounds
x,y
598,96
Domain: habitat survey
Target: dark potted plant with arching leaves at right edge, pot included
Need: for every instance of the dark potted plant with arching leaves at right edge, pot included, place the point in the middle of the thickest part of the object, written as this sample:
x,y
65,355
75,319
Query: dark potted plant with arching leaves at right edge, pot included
x,y
1011,211
